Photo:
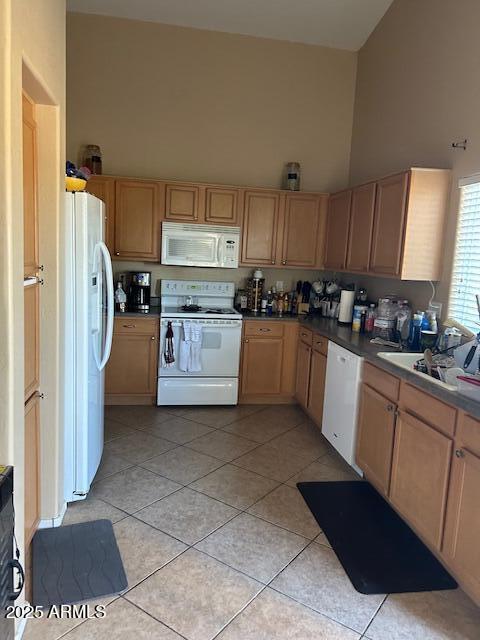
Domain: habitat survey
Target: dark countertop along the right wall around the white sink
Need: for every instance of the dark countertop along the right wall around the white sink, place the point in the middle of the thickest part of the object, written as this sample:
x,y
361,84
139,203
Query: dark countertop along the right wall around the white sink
x,y
361,345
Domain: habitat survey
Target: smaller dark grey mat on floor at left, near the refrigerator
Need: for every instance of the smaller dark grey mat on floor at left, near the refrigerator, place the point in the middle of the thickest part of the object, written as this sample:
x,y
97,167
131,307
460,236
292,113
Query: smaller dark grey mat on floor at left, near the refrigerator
x,y
76,562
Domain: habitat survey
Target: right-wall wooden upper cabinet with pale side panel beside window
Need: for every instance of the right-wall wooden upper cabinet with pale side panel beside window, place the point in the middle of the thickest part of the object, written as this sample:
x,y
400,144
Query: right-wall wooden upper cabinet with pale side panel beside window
x,y
384,227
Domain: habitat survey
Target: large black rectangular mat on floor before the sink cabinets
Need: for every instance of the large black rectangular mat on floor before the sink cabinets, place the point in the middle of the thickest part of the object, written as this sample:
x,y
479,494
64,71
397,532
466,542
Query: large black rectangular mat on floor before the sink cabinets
x,y
377,549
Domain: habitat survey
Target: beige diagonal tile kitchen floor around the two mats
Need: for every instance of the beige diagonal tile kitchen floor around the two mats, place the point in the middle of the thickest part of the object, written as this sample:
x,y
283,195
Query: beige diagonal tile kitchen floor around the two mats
x,y
218,543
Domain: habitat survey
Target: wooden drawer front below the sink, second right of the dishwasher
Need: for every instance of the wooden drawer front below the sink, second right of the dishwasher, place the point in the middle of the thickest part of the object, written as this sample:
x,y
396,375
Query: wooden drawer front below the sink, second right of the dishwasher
x,y
435,412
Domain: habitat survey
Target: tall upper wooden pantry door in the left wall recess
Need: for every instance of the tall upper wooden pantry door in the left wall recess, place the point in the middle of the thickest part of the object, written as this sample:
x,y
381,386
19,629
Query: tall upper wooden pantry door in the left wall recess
x,y
30,222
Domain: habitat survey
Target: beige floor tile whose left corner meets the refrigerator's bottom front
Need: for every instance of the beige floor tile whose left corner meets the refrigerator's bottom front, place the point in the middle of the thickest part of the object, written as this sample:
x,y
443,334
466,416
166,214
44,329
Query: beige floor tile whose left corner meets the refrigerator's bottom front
x,y
133,489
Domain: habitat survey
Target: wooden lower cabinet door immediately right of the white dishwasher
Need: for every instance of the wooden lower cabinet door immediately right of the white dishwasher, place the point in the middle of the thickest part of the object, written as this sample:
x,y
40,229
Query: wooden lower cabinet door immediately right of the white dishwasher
x,y
376,431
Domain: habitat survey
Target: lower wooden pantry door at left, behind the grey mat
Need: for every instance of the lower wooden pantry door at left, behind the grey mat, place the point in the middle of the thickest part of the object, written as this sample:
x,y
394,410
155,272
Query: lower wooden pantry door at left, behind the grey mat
x,y
32,467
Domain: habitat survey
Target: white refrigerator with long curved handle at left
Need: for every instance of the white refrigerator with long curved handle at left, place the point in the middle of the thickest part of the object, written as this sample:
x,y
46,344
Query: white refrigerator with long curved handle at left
x,y
94,304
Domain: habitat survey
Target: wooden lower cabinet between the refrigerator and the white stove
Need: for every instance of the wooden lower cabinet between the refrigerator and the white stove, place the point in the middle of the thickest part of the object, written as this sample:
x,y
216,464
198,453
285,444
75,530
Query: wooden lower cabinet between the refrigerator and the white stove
x,y
131,372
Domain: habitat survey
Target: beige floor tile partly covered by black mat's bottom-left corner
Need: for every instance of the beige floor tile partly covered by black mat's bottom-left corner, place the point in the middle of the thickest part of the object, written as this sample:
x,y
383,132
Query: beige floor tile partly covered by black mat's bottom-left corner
x,y
317,579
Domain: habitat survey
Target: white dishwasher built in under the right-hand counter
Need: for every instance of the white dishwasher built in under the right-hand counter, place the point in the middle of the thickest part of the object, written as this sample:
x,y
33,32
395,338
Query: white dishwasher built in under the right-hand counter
x,y
342,396
